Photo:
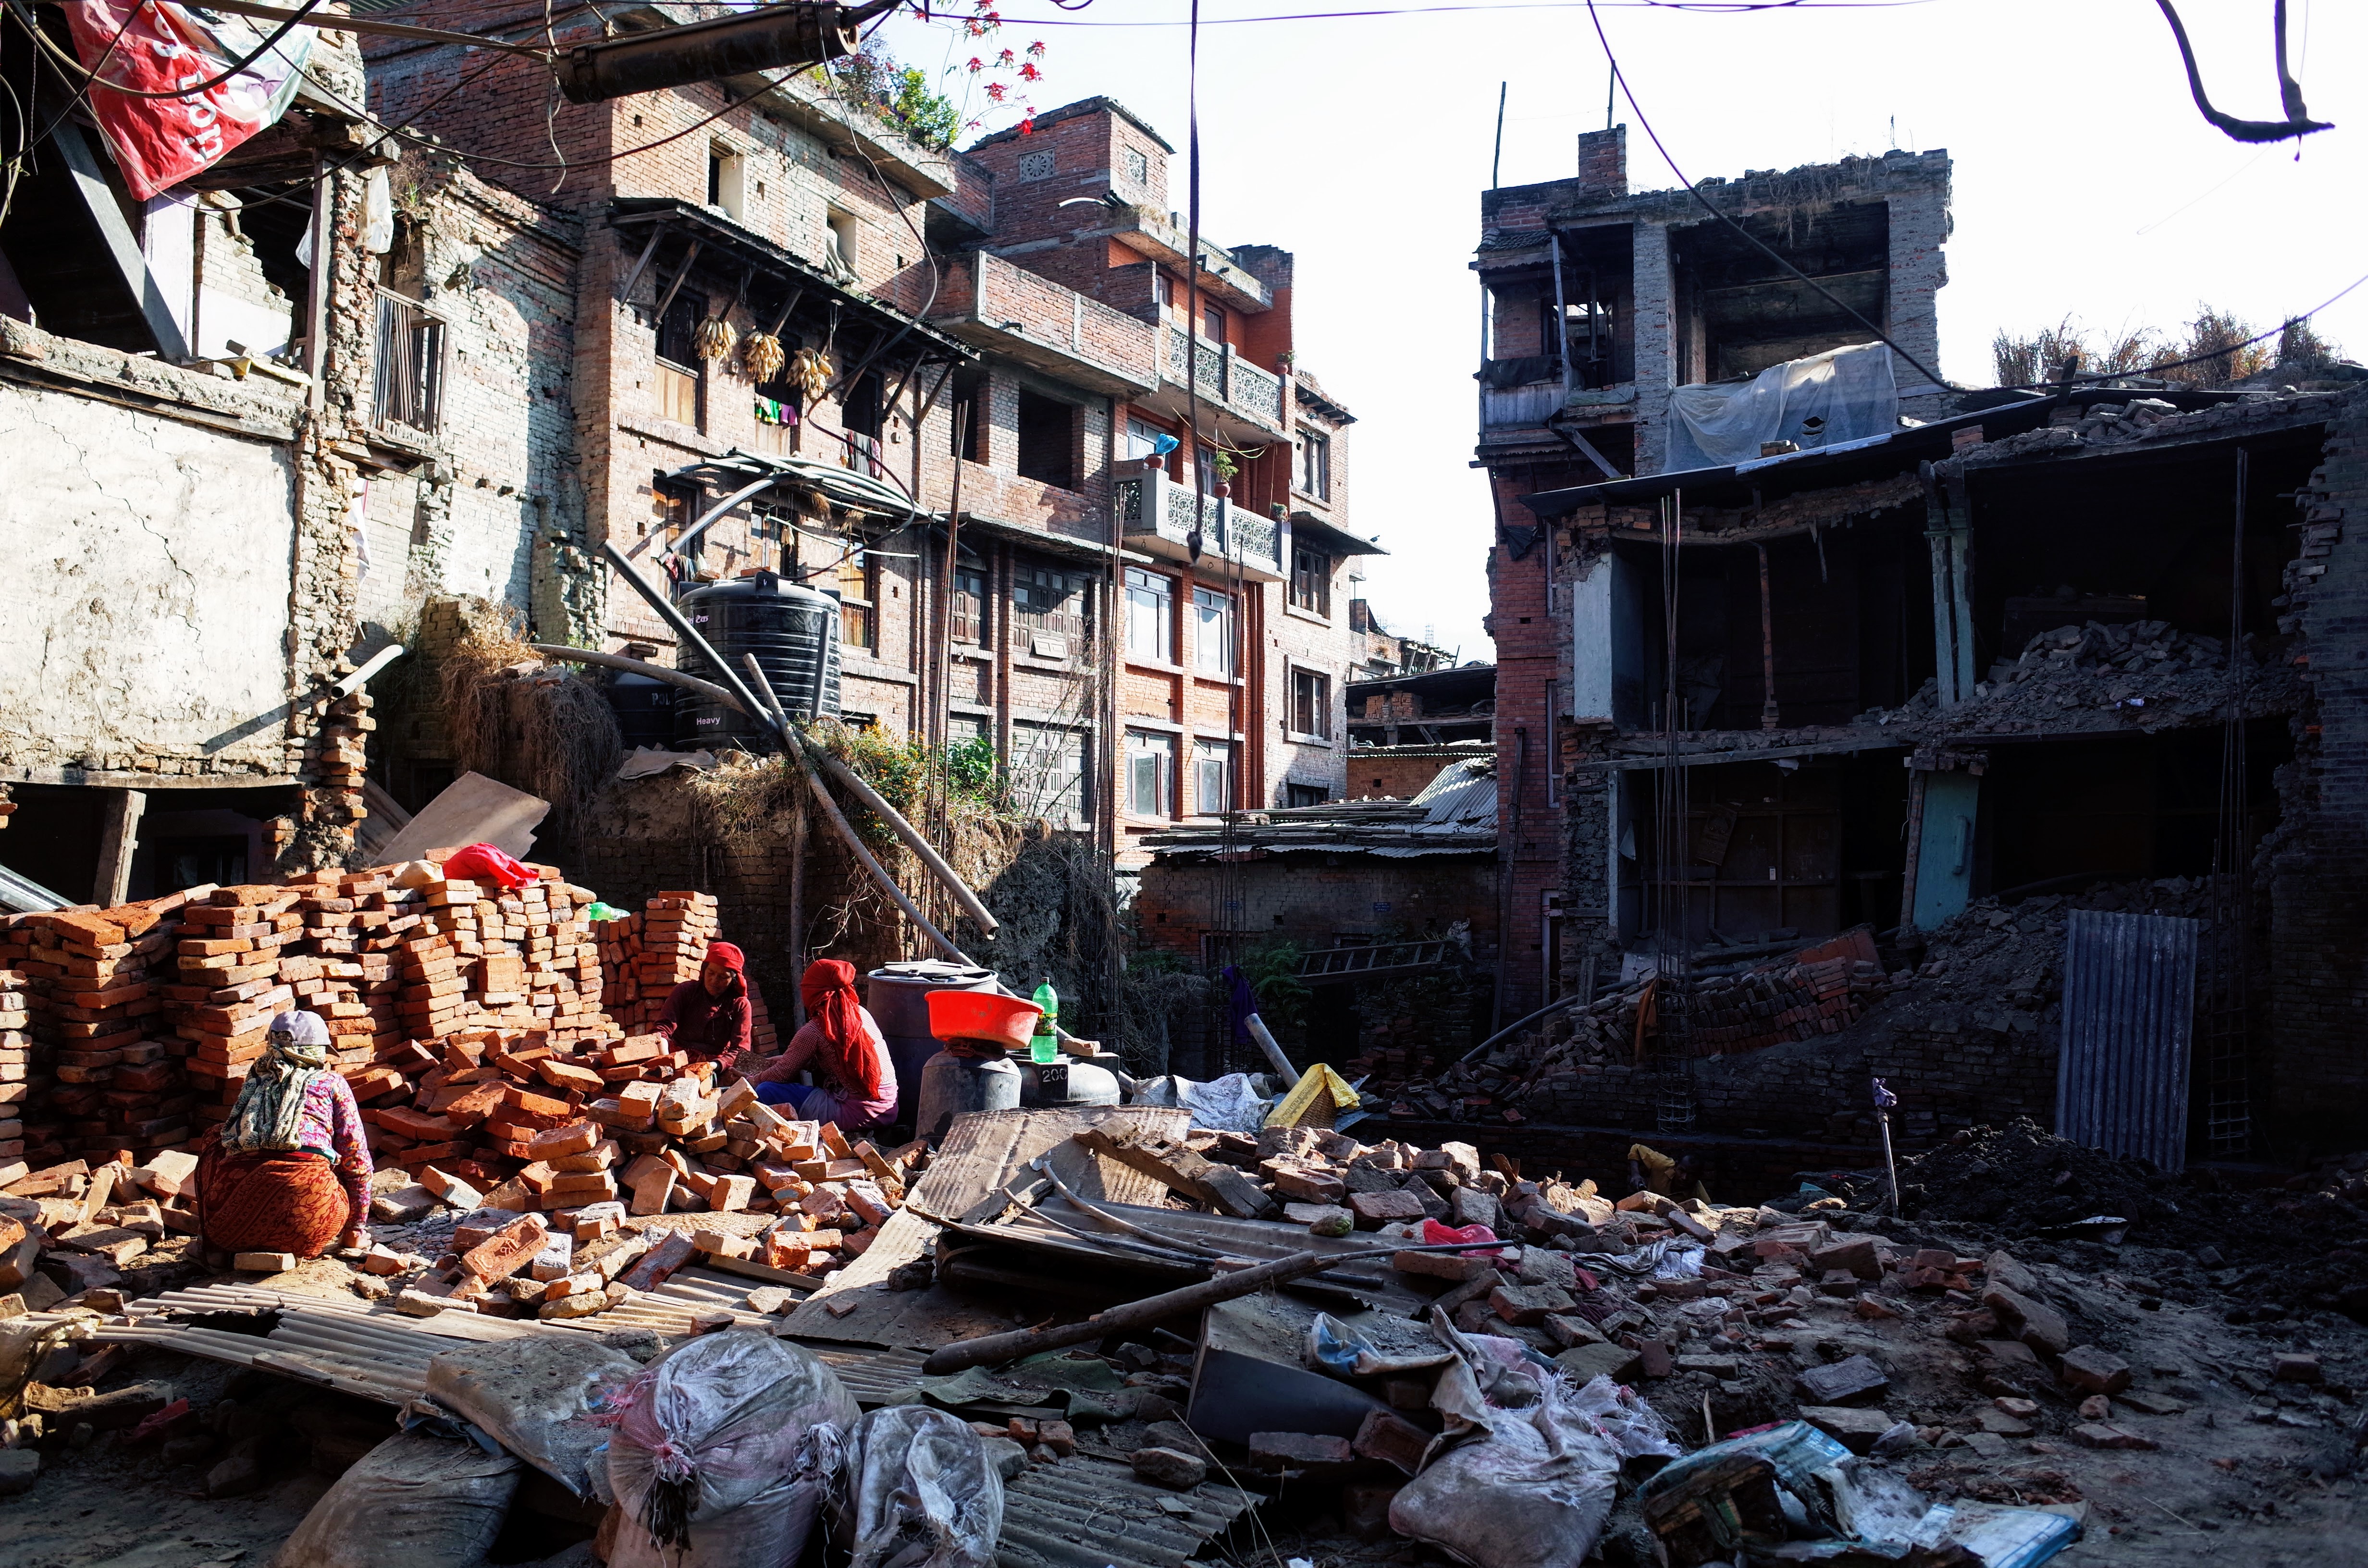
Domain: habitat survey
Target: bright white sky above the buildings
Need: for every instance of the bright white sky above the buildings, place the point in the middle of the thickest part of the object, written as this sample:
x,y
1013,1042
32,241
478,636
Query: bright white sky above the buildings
x,y
2085,179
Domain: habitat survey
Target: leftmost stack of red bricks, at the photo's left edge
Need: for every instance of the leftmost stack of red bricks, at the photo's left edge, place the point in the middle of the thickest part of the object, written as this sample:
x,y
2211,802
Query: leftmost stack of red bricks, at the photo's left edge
x,y
101,1053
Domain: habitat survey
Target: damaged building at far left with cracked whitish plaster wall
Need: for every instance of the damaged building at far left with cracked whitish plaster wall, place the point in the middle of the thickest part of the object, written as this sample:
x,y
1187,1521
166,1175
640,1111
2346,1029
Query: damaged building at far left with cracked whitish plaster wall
x,y
186,399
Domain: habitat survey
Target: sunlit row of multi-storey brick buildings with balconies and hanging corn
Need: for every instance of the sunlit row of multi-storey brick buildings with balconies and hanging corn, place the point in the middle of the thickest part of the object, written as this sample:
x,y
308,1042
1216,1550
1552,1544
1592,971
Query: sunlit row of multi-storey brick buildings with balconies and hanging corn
x,y
996,470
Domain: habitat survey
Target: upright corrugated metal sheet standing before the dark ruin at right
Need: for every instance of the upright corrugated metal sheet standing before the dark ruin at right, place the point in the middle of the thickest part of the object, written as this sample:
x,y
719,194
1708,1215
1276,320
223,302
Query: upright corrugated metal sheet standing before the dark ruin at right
x,y
2130,1020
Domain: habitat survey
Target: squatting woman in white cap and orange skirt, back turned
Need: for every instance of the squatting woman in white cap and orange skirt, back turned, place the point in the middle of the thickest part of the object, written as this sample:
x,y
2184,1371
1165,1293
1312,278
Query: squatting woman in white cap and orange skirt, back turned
x,y
290,1171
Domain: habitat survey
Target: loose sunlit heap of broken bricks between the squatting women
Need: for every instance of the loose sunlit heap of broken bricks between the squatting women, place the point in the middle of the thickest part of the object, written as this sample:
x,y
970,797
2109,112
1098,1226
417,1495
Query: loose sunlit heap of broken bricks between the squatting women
x,y
565,1235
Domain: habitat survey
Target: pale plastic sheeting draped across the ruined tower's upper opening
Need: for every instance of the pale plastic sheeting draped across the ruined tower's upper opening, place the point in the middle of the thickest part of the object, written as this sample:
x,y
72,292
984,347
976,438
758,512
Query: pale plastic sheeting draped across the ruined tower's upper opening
x,y
1825,401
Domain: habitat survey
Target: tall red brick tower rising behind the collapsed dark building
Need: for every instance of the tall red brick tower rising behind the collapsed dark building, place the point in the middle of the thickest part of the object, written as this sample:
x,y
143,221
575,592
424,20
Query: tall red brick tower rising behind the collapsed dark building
x,y
1602,304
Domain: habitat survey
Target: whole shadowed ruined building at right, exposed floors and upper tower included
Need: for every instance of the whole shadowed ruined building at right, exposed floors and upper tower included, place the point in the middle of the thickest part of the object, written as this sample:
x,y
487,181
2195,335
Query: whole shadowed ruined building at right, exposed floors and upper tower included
x,y
1936,683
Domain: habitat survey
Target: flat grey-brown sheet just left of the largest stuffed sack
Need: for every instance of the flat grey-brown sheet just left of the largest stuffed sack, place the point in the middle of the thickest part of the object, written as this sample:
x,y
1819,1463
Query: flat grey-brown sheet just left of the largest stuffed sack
x,y
532,1394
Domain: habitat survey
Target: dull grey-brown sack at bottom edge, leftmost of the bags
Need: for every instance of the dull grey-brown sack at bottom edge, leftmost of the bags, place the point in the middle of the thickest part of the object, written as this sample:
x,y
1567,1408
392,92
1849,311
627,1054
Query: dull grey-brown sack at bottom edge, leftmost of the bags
x,y
411,1503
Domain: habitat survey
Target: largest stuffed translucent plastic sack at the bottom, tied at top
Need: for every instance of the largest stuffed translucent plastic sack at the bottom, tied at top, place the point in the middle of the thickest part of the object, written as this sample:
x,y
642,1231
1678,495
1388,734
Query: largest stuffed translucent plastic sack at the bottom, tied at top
x,y
721,1453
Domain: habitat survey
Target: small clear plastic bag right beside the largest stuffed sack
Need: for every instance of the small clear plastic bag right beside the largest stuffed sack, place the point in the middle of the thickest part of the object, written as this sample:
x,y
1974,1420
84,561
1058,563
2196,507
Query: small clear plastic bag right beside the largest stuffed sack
x,y
920,1491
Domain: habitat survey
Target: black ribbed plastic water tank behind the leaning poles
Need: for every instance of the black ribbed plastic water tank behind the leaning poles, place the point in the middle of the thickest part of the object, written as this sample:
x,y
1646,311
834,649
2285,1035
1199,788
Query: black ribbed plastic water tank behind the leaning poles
x,y
794,636
